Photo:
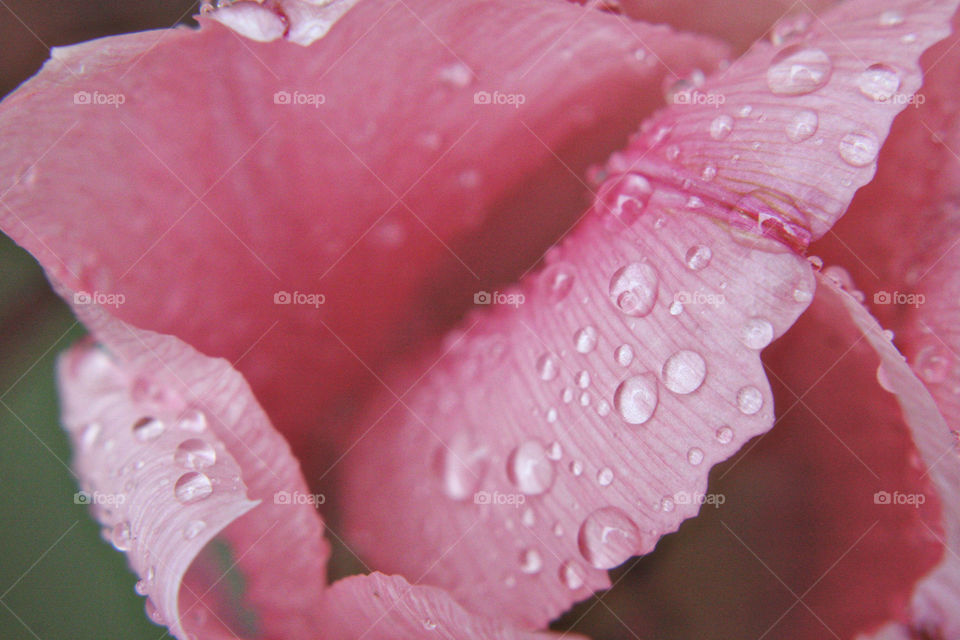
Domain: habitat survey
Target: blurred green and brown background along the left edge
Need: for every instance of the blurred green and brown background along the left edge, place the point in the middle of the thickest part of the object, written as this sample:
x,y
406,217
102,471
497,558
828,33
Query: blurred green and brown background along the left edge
x,y
58,578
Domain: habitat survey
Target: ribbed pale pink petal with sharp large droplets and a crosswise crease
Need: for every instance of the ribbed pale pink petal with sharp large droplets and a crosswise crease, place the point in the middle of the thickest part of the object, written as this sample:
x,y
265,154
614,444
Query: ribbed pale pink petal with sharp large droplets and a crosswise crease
x,y
488,415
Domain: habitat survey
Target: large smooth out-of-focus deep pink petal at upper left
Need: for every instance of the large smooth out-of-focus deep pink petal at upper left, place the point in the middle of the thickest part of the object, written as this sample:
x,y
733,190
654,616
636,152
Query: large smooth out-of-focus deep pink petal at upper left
x,y
304,197
